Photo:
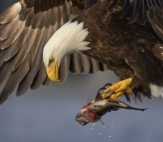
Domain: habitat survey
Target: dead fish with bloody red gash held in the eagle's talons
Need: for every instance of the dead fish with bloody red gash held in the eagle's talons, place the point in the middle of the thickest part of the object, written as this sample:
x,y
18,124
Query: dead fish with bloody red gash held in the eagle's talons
x,y
93,110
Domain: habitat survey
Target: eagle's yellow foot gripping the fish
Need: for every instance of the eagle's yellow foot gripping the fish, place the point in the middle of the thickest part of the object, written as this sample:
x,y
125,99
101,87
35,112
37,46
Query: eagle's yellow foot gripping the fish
x,y
119,89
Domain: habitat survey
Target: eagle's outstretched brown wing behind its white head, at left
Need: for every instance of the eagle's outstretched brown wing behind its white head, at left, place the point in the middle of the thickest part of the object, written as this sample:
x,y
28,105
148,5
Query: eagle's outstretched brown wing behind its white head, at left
x,y
25,28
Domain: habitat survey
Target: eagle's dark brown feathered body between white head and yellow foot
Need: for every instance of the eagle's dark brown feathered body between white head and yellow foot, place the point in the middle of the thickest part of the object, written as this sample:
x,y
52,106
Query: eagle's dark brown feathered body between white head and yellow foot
x,y
131,50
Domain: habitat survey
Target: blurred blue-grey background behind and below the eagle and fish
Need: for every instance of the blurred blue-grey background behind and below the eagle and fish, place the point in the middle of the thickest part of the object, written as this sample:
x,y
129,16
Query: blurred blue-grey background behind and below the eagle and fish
x,y
48,114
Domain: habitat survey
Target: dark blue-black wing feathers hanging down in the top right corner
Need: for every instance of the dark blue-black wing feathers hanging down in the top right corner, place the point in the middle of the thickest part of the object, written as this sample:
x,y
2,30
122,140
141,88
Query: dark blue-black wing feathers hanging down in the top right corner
x,y
154,7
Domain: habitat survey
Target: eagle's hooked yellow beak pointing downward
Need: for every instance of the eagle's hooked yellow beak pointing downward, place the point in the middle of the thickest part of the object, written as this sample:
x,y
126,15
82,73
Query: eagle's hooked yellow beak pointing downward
x,y
53,71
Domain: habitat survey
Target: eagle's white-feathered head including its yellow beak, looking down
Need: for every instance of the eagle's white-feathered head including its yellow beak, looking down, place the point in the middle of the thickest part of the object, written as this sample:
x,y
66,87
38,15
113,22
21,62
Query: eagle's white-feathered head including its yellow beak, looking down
x,y
68,39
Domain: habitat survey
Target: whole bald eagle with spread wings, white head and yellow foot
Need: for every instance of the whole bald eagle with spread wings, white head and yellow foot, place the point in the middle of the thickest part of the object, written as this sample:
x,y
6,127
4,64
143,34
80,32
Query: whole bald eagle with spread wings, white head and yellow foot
x,y
39,37
